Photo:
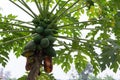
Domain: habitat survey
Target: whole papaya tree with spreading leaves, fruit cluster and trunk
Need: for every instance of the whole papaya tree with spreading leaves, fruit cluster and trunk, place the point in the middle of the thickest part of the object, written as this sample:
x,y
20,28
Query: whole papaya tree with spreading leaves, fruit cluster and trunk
x,y
56,35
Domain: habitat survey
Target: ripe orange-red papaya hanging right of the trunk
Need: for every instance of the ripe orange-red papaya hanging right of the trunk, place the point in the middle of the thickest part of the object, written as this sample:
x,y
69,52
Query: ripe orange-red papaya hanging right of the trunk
x,y
48,66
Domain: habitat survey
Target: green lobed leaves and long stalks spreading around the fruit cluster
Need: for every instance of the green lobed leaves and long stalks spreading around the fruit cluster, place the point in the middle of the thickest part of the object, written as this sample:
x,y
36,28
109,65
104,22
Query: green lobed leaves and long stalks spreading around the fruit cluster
x,y
72,44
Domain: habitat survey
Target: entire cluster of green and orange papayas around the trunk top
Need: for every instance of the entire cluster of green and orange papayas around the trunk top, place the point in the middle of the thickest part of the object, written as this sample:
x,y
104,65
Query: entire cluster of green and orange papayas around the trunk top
x,y
42,42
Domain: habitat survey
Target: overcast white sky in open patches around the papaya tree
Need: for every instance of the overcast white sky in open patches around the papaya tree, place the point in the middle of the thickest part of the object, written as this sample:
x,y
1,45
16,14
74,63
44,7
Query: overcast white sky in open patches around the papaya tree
x,y
17,65
